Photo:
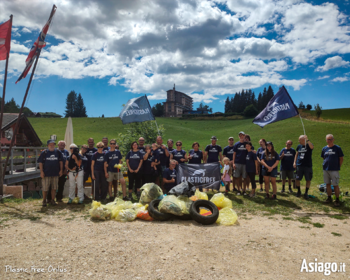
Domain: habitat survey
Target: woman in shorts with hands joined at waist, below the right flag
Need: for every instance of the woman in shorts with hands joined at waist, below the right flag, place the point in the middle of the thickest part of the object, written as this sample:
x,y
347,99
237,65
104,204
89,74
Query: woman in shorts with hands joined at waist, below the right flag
x,y
270,162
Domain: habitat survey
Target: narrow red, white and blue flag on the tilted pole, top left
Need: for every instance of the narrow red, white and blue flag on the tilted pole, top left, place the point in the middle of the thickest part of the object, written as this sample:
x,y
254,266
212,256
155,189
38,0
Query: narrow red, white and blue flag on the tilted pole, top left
x,y
38,45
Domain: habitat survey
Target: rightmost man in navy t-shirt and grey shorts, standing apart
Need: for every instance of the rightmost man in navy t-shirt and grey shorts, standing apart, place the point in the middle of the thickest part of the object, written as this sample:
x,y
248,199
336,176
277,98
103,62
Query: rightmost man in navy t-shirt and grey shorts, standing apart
x,y
332,161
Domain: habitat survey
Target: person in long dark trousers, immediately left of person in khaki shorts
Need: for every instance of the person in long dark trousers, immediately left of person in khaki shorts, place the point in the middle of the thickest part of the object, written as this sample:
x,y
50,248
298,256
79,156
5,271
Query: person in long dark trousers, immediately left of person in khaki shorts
x,y
98,174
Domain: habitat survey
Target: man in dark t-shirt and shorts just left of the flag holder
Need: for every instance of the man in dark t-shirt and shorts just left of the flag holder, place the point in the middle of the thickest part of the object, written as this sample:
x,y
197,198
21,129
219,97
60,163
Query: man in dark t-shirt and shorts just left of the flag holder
x,y
287,156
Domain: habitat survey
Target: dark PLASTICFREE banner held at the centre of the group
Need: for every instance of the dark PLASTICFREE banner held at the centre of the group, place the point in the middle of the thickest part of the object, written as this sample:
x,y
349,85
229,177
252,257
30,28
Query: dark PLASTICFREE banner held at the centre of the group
x,y
201,175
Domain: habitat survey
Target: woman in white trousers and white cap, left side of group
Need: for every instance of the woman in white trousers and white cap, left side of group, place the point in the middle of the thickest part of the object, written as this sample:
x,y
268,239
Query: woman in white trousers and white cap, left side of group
x,y
75,174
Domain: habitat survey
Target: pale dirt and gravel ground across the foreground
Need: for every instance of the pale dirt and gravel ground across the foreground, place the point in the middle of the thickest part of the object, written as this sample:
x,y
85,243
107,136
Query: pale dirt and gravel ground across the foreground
x,y
257,248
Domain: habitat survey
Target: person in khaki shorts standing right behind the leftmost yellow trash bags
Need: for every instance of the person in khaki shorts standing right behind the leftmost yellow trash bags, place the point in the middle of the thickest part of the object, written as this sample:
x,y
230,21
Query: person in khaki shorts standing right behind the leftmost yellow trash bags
x,y
112,173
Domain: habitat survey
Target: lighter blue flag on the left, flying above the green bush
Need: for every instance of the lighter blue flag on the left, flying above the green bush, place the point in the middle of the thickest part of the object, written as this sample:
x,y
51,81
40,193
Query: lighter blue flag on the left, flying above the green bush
x,y
136,110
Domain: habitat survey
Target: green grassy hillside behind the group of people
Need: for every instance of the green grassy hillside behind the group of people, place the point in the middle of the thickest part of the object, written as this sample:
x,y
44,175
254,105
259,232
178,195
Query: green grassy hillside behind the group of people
x,y
201,131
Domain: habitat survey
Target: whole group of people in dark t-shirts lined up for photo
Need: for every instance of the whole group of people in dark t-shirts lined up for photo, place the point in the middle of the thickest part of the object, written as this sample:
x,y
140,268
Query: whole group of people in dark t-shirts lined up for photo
x,y
156,163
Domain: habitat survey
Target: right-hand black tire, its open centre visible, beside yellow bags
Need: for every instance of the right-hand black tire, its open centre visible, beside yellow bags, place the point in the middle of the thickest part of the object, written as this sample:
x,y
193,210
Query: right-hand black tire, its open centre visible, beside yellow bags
x,y
204,220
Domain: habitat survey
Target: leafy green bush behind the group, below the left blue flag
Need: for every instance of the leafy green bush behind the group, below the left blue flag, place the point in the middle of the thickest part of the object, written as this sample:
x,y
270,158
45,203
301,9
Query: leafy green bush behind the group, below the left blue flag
x,y
134,131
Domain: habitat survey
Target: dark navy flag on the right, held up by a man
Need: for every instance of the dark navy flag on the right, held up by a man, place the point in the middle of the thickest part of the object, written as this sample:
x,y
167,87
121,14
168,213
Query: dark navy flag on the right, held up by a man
x,y
280,107
